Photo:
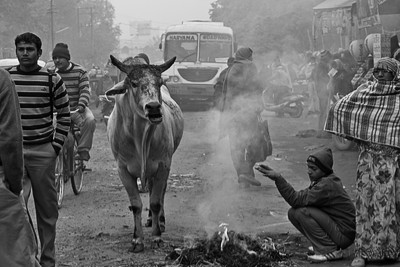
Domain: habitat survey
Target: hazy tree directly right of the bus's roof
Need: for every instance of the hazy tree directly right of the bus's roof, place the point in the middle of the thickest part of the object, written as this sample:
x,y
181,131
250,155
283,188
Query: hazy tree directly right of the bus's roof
x,y
267,25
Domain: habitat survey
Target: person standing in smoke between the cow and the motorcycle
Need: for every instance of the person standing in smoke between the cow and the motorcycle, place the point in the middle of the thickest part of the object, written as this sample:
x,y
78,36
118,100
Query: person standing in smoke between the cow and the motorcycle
x,y
241,107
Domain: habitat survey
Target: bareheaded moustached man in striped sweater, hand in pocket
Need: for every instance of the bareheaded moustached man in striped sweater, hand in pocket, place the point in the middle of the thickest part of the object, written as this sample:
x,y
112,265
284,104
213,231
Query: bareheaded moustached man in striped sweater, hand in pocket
x,y
39,94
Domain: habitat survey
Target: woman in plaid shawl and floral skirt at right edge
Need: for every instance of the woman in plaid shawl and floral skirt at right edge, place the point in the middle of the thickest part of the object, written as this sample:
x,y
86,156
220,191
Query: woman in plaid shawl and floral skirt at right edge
x,y
371,116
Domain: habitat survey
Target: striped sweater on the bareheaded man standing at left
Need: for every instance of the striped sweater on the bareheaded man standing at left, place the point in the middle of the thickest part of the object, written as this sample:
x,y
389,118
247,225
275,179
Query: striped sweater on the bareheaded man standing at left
x,y
36,111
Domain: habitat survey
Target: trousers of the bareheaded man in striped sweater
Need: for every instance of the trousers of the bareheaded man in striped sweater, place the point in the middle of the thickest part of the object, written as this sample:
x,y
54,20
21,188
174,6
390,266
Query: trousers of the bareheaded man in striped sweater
x,y
39,176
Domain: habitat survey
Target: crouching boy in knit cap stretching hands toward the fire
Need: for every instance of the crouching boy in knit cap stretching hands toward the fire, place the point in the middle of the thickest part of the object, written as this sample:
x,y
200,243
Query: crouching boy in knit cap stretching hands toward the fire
x,y
323,212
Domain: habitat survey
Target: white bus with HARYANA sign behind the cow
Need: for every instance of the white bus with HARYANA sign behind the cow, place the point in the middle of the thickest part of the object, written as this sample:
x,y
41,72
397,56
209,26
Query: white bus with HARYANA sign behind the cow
x,y
202,49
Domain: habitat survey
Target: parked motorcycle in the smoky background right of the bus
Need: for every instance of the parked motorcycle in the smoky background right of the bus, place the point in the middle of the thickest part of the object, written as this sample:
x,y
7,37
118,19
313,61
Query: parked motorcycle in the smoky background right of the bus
x,y
292,104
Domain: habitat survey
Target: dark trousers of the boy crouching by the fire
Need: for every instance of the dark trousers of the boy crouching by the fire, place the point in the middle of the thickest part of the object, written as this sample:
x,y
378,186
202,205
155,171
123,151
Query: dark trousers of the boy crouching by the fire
x,y
319,228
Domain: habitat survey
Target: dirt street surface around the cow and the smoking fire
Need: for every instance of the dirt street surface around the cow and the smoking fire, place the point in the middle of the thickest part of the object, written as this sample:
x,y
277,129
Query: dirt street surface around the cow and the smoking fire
x,y
95,228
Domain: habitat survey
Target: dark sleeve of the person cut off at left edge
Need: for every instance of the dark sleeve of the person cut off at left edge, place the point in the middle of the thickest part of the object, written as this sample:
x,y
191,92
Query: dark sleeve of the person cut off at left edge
x,y
11,155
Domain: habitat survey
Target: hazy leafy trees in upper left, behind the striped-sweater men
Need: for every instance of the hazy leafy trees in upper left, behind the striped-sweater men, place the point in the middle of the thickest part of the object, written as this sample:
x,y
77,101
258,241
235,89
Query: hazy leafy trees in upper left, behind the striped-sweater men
x,y
85,25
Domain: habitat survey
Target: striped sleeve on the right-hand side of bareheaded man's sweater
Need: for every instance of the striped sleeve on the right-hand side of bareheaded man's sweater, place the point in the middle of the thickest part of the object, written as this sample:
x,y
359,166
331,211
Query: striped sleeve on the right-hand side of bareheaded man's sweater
x,y
63,119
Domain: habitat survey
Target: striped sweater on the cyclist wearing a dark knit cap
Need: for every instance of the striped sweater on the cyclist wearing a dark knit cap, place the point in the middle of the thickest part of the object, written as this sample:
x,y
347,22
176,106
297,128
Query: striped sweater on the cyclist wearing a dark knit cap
x,y
76,81
